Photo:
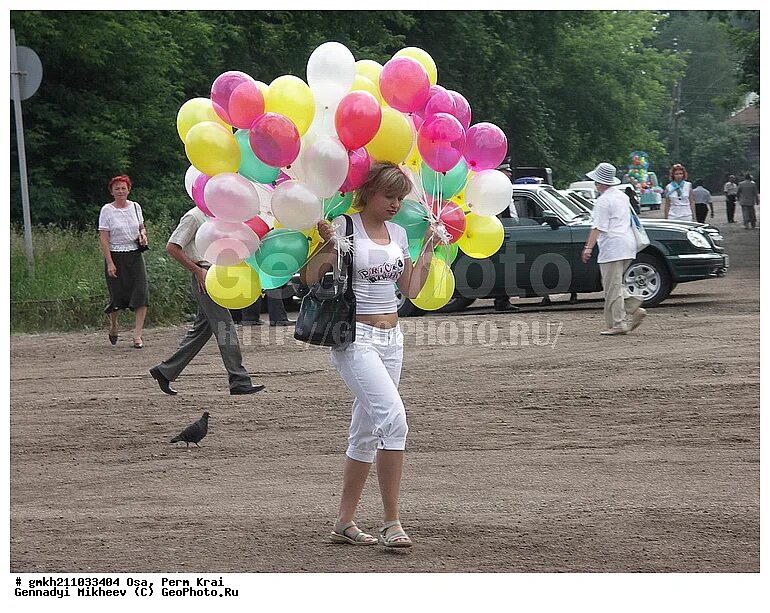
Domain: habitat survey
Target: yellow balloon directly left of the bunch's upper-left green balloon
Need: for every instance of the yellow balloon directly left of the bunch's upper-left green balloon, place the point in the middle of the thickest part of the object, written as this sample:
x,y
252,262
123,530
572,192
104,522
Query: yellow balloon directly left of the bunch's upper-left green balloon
x,y
212,148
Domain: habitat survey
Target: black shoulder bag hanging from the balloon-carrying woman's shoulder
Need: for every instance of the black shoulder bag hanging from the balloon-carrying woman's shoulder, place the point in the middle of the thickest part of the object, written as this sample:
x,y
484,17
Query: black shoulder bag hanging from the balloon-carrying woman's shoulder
x,y
327,315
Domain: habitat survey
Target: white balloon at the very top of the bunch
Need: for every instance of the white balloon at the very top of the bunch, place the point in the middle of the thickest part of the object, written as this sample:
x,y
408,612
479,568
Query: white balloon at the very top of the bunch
x,y
331,70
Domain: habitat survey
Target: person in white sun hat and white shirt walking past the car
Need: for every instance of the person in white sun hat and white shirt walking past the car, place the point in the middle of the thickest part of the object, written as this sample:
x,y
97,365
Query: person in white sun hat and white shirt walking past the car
x,y
611,229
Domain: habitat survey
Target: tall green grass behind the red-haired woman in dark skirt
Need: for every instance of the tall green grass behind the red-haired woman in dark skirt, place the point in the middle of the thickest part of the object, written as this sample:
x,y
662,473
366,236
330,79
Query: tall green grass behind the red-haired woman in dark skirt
x,y
69,292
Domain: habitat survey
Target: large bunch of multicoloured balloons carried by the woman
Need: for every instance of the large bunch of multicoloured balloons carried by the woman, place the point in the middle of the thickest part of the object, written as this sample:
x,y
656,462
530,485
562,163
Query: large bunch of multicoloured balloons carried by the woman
x,y
268,162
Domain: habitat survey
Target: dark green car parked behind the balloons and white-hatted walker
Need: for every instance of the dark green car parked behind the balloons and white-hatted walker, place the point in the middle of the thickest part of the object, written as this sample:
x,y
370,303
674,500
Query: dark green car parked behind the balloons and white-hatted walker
x,y
542,248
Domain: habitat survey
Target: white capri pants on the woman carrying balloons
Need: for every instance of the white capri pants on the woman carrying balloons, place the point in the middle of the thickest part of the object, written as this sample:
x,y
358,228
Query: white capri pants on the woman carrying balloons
x,y
371,368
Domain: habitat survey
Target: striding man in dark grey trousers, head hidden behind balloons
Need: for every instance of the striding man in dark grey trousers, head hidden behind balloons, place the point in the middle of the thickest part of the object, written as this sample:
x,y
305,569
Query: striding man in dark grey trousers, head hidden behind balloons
x,y
210,319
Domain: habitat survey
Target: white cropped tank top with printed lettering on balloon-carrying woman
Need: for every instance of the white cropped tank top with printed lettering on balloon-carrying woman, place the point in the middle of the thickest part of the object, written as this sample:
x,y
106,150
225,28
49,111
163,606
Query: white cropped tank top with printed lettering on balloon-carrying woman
x,y
376,268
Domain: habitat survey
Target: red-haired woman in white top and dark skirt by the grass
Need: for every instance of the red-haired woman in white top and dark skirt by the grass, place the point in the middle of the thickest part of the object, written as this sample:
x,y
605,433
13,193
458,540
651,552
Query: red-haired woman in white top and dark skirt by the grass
x,y
123,237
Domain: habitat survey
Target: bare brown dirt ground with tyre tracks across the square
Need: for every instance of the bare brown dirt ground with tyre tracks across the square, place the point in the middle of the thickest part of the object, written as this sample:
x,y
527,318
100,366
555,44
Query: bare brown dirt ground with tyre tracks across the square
x,y
534,451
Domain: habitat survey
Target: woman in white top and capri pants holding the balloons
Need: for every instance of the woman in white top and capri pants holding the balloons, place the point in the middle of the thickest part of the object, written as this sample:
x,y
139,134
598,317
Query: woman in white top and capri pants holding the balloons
x,y
371,366
